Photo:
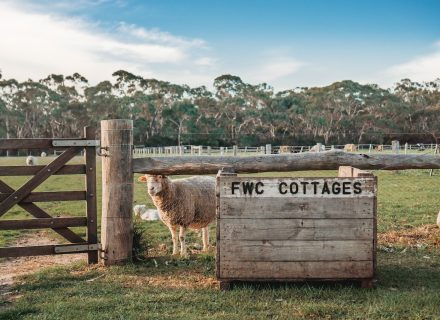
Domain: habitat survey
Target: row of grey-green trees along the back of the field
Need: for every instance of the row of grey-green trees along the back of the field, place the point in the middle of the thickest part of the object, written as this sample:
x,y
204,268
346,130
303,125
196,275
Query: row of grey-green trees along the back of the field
x,y
234,112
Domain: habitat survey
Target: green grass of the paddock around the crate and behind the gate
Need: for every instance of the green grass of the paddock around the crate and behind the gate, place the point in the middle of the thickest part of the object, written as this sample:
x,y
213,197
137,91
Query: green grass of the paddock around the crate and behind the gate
x,y
164,287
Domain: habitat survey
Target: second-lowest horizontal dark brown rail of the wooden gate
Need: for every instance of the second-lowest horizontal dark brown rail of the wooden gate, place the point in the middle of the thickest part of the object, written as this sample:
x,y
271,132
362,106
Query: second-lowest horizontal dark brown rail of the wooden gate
x,y
43,223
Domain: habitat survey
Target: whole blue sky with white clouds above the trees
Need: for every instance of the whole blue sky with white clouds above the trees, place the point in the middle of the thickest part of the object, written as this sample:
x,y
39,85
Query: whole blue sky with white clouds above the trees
x,y
287,44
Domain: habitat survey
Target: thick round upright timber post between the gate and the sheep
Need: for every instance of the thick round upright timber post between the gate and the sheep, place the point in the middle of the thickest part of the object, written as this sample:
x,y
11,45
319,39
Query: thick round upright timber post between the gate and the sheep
x,y
117,191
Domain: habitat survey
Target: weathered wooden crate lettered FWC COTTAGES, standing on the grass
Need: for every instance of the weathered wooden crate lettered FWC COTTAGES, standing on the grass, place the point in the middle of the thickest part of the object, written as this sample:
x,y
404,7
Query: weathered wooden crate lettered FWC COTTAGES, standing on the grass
x,y
290,229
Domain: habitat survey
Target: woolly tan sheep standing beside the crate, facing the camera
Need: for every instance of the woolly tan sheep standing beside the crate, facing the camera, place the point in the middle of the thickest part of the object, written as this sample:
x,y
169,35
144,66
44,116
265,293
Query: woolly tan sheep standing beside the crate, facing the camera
x,y
185,203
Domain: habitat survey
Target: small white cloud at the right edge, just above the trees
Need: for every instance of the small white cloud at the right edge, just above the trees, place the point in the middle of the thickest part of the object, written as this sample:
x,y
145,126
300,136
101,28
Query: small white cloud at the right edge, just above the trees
x,y
421,68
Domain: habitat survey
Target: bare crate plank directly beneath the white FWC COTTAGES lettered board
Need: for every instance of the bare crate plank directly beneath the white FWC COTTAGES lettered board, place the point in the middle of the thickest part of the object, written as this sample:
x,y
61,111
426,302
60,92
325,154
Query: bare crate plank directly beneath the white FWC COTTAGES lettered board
x,y
270,208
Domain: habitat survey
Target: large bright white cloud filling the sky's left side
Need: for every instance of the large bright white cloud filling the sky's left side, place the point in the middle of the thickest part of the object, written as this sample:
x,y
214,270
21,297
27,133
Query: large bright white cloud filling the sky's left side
x,y
35,43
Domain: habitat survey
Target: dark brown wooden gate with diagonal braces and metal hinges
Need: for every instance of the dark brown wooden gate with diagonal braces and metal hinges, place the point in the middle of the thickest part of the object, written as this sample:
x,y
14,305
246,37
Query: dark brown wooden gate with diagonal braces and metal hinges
x,y
25,197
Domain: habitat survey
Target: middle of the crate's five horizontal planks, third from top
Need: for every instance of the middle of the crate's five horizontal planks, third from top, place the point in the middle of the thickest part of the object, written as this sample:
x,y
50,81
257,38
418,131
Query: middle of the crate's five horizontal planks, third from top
x,y
296,229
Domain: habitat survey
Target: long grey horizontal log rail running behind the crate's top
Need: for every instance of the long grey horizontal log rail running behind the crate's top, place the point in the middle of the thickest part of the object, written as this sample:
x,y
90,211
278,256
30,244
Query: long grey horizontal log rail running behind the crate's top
x,y
328,160
